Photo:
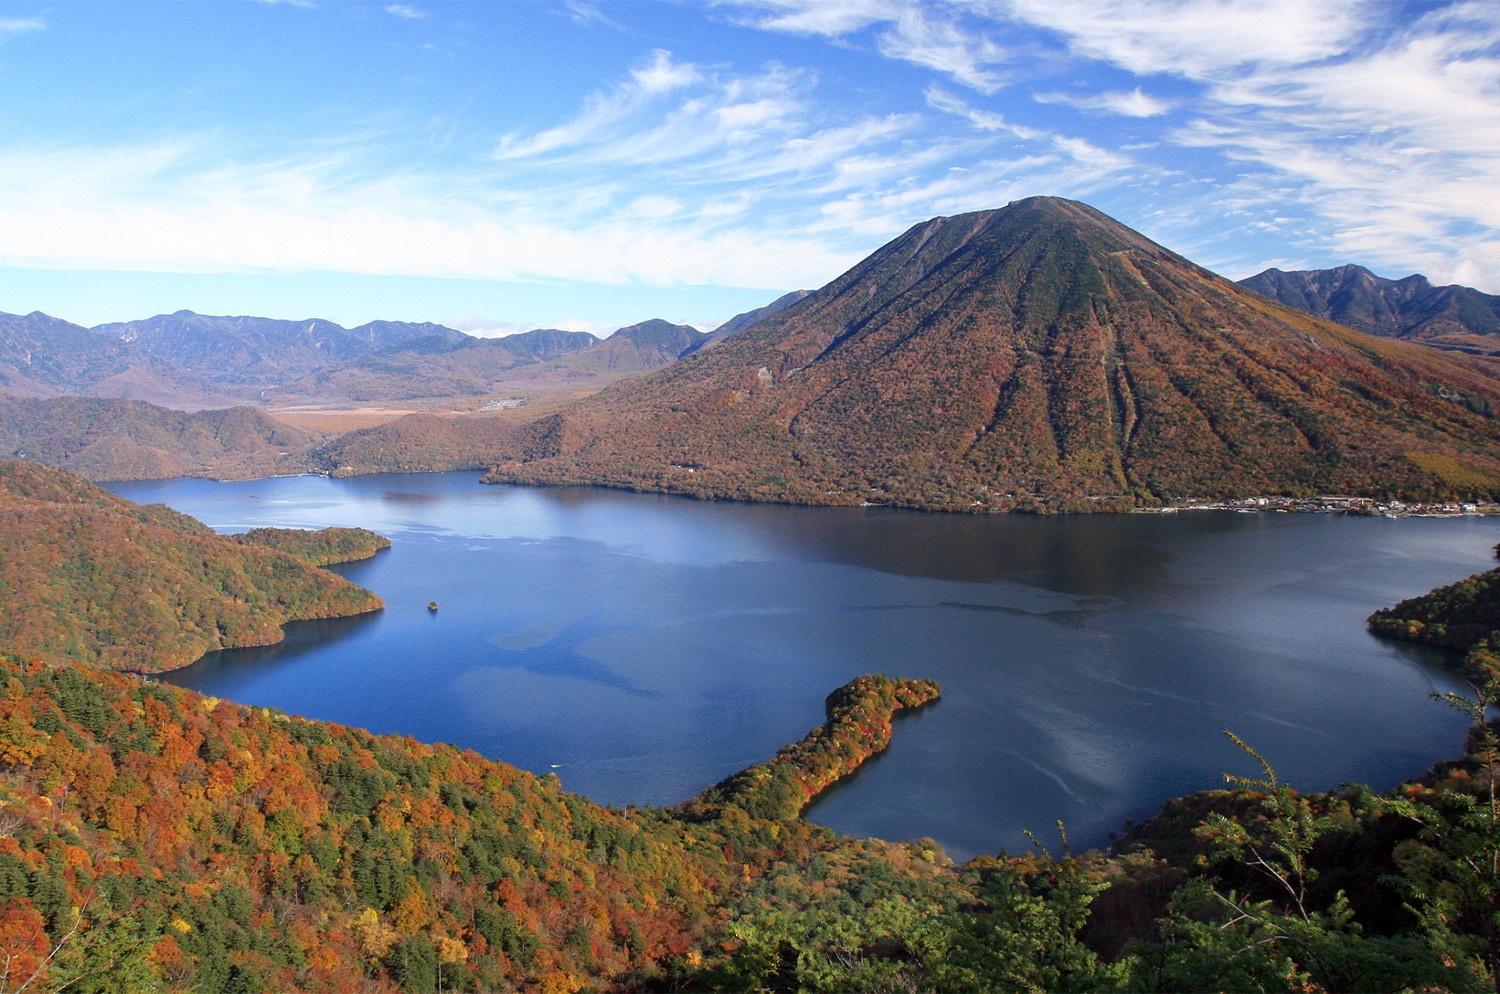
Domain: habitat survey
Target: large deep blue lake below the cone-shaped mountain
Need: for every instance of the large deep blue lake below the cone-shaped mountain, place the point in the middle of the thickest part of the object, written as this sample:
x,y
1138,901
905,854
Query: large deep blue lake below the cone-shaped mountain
x,y
646,647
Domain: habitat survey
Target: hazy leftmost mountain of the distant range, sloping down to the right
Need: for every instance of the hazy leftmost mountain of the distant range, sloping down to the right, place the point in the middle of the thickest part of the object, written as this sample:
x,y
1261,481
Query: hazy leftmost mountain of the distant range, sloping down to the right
x,y
47,358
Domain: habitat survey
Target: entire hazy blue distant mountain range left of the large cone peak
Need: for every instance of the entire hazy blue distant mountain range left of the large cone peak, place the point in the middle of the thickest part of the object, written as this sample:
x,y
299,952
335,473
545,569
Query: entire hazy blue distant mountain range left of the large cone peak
x,y
194,361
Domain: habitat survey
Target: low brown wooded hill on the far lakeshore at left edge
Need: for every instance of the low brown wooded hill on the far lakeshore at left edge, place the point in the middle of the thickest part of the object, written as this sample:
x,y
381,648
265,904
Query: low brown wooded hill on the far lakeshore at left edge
x,y
131,440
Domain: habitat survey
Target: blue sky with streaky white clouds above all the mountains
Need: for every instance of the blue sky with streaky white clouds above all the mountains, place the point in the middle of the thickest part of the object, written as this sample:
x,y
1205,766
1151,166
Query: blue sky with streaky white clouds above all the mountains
x,y
509,166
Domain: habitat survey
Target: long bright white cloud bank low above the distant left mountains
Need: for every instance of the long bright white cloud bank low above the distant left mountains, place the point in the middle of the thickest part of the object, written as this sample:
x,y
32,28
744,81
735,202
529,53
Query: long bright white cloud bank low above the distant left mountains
x,y
169,209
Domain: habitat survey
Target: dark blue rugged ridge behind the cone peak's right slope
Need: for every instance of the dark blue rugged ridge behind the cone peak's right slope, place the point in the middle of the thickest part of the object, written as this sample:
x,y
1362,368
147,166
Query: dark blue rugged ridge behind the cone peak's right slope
x,y
1457,319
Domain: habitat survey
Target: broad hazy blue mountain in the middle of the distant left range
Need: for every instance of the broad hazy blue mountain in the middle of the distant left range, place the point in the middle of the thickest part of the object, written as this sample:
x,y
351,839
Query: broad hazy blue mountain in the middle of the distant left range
x,y
248,355
